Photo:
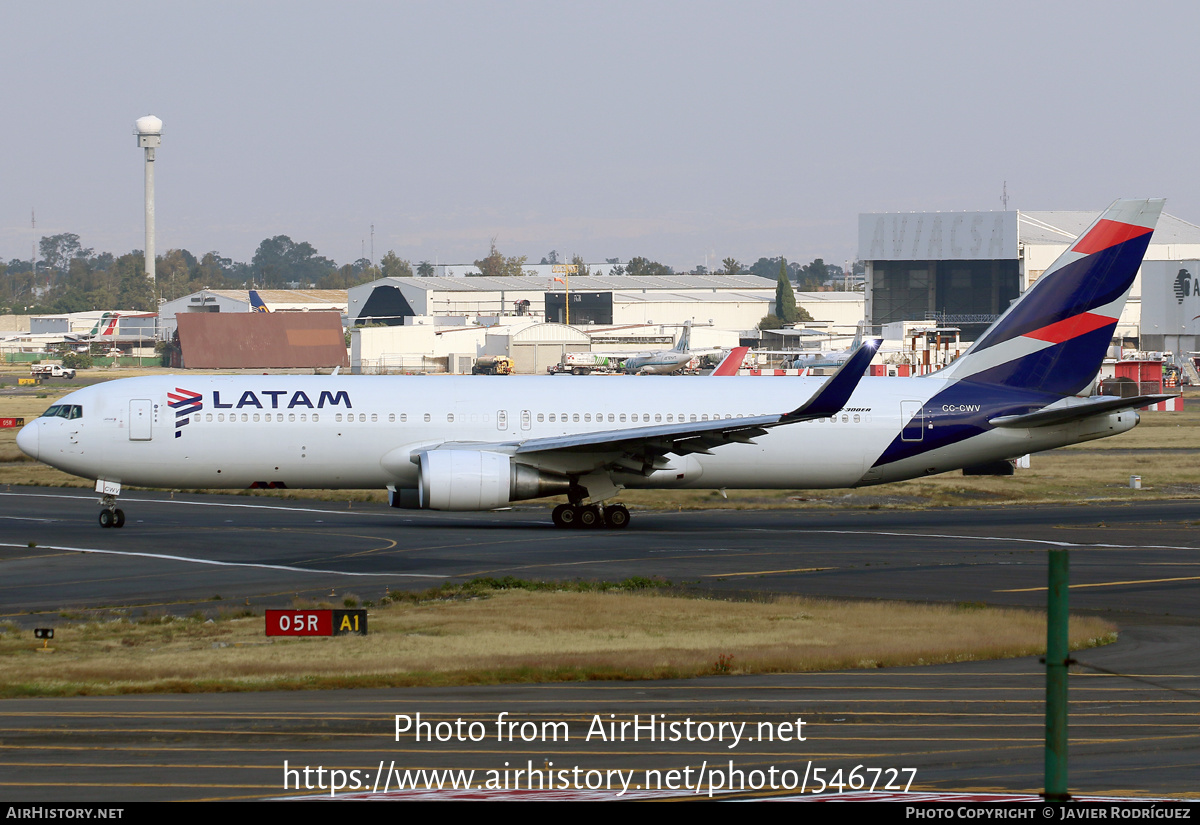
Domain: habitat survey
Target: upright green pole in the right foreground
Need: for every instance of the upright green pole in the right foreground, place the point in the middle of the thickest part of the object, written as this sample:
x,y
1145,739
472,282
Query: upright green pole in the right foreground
x,y
1058,660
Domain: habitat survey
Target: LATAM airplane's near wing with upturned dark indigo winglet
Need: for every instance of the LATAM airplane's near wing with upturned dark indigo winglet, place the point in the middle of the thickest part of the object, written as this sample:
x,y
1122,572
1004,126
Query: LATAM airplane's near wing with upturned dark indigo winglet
x,y
650,444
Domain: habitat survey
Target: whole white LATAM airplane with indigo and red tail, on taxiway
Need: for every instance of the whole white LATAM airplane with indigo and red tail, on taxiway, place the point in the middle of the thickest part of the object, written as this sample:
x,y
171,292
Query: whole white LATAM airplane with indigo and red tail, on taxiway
x,y
479,443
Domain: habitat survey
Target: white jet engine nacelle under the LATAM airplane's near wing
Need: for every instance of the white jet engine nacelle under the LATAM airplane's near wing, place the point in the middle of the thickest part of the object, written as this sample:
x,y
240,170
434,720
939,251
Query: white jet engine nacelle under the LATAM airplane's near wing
x,y
479,480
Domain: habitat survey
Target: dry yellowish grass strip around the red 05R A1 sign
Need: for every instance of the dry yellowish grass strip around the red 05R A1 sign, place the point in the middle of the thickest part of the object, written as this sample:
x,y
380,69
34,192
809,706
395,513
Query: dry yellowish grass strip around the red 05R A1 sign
x,y
521,636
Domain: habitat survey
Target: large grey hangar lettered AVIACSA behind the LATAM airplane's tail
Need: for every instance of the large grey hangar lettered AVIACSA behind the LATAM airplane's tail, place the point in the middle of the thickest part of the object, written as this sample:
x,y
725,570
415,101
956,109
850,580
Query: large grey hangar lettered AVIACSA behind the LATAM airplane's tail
x,y
964,269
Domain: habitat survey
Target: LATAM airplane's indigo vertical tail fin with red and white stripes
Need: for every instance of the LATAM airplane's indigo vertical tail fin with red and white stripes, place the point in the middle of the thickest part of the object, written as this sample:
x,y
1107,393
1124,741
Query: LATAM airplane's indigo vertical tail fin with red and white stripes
x,y
1054,338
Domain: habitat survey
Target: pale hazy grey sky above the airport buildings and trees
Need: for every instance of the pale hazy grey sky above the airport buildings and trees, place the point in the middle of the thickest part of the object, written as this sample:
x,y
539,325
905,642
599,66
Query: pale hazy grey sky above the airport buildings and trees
x,y
667,130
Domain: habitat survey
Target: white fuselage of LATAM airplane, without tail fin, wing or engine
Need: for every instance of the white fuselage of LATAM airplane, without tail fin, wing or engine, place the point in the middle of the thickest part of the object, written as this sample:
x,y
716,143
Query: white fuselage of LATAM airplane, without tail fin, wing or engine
x,y
364,432
